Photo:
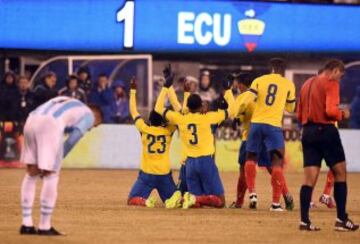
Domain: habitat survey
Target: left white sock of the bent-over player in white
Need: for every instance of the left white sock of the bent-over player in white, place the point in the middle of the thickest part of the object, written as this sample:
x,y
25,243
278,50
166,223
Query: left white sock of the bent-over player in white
x,y
28,188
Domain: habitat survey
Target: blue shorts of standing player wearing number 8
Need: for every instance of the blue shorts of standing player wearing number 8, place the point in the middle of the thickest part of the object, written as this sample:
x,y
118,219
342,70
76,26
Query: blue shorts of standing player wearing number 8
x,y
262,134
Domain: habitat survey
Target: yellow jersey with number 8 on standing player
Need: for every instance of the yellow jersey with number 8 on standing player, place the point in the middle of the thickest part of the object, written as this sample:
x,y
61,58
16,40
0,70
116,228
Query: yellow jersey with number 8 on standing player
x,y
273,94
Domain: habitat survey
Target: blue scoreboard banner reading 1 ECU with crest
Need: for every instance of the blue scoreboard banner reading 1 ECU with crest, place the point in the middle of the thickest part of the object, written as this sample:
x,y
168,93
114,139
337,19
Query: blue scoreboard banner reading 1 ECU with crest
x,y
174,26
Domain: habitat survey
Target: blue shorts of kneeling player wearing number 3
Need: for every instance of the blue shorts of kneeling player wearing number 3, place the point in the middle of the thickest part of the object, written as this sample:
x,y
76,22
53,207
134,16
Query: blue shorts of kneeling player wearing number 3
x,y
202,176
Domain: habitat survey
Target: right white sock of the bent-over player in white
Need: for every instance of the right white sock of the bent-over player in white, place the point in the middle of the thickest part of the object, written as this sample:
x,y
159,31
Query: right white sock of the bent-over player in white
x,y
48,200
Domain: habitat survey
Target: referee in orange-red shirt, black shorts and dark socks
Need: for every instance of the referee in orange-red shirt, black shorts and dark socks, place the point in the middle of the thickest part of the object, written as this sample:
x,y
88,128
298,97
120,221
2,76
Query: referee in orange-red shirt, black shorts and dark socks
x,y
318,111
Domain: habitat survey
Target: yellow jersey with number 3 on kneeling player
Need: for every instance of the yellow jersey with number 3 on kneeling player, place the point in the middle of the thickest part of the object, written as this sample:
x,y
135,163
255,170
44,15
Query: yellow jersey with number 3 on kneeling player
x,y
194,128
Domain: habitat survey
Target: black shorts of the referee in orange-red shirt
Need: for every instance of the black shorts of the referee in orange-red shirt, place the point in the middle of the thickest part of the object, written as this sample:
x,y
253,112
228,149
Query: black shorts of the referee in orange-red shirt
x,y
320,142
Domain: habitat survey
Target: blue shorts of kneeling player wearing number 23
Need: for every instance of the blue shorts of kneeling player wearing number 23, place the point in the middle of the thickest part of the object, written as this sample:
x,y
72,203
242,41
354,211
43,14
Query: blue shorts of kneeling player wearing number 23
x,y
145,183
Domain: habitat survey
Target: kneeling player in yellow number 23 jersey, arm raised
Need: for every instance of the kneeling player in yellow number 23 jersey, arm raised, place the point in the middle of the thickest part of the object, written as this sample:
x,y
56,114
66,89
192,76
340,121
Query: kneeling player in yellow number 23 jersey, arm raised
x,y
155,170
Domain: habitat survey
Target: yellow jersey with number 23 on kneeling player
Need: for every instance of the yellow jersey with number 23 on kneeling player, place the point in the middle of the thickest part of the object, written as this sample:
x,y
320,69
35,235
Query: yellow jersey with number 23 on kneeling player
x,y
156,140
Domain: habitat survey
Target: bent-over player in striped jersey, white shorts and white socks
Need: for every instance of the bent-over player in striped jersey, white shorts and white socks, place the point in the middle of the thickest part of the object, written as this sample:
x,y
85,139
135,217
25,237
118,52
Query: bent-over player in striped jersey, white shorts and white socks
x,y
44,150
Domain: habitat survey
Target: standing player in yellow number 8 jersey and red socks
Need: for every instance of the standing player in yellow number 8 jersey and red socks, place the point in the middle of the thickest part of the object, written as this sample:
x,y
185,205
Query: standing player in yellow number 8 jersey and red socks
x,y
273,94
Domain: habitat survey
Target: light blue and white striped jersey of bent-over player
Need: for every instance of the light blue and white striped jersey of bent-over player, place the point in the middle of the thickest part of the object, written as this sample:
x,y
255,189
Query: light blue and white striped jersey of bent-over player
x,y
68,112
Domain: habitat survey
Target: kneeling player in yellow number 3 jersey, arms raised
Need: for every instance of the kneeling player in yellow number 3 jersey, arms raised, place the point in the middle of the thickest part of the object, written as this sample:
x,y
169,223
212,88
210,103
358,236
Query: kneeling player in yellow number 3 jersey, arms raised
x,y
202,176
